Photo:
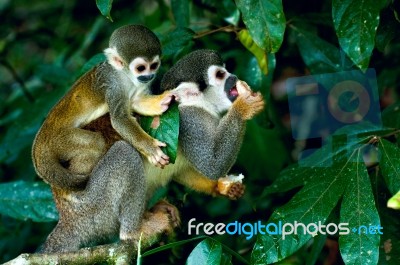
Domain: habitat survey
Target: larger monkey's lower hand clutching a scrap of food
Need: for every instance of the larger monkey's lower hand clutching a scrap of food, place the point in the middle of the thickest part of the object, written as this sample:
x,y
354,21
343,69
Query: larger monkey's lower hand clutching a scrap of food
x,y
231,187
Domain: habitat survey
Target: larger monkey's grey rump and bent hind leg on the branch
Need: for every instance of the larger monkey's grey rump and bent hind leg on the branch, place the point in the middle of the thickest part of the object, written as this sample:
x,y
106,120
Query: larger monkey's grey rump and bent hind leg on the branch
x,y
113,201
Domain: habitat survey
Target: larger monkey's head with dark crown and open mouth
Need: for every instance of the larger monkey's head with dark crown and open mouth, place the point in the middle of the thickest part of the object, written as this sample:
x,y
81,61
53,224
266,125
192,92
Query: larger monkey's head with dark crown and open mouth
x,y
200,78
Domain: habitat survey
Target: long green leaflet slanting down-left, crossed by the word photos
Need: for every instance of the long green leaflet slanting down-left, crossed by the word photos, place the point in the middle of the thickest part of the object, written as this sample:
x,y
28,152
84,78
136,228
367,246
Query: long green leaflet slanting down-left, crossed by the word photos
x,y
312,204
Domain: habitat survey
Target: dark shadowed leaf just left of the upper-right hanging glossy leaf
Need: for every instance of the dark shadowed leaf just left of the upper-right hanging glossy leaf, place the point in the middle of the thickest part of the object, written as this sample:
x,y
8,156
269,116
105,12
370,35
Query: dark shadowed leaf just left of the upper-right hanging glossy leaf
x,y
319,55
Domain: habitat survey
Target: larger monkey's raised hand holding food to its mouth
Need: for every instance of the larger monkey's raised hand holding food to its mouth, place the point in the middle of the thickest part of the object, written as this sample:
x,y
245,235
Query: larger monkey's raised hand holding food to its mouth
x,y
248,103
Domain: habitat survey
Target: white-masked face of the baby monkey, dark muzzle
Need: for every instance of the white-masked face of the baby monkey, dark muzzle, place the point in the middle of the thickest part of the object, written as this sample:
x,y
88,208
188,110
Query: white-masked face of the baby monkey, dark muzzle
x,y
143,69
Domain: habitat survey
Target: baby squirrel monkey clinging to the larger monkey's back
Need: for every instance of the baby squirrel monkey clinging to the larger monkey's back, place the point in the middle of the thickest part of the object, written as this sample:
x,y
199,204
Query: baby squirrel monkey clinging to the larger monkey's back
x,y
62,151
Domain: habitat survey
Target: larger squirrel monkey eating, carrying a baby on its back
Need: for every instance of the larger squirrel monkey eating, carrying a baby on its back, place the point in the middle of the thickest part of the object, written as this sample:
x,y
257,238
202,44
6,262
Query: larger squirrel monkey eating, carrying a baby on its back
x,y
213,113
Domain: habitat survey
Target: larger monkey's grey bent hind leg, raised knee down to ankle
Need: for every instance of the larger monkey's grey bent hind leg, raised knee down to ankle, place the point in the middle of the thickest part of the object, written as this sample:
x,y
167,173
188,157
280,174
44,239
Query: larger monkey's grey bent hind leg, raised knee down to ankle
x,y
116,190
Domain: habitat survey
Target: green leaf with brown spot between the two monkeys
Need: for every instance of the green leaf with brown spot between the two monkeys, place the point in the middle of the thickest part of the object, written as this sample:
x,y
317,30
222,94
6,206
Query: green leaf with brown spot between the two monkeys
x,y
165,128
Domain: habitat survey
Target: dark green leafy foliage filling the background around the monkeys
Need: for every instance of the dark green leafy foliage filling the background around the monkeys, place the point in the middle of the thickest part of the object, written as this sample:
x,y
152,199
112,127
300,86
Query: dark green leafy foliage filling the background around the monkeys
x,y
350,178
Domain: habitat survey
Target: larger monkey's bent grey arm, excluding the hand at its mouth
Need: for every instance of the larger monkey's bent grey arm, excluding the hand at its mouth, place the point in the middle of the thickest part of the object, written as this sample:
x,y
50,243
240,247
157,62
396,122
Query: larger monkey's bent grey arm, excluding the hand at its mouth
x,y
211,146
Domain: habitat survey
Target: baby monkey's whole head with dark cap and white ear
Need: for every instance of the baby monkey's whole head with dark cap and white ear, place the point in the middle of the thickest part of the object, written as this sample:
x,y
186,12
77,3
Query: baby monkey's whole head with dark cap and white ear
x,y
135,50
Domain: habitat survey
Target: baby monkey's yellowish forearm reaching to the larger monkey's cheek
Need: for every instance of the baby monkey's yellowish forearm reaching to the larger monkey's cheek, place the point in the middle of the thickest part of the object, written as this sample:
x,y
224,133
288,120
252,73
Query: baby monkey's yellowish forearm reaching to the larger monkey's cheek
x,y
152,105
